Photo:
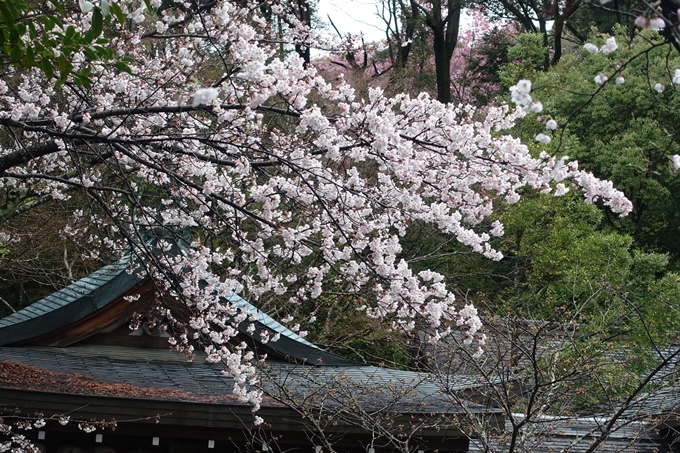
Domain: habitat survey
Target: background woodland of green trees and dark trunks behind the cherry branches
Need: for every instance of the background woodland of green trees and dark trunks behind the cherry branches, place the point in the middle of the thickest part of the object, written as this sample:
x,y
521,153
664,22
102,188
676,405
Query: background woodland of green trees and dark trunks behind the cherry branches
x,y
564,259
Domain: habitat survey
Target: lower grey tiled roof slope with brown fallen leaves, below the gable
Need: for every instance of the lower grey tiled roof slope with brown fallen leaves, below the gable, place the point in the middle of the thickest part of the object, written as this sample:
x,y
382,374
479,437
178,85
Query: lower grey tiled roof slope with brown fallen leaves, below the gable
x,y
166,375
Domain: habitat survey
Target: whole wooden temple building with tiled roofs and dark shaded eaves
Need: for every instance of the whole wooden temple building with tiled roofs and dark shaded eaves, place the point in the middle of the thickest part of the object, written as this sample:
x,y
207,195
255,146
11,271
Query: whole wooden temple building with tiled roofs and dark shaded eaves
x,y
72,355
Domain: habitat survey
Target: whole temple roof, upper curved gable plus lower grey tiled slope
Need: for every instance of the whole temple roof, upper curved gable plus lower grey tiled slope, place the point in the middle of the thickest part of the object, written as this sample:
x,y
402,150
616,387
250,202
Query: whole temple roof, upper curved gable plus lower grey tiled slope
x,y
53,348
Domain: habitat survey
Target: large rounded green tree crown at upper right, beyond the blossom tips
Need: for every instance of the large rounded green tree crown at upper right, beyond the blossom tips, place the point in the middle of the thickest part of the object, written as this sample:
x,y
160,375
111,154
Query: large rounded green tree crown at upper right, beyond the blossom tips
x,y
625,133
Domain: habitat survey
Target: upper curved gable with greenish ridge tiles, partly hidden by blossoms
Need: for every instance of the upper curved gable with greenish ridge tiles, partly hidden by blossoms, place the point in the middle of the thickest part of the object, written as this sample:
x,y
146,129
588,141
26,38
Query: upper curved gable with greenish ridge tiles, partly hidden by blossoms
x,y
97,302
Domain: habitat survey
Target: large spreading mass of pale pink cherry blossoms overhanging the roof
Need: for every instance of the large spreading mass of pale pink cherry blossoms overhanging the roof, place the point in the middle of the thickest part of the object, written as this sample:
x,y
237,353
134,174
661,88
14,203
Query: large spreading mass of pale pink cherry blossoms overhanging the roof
x,y
287,183
